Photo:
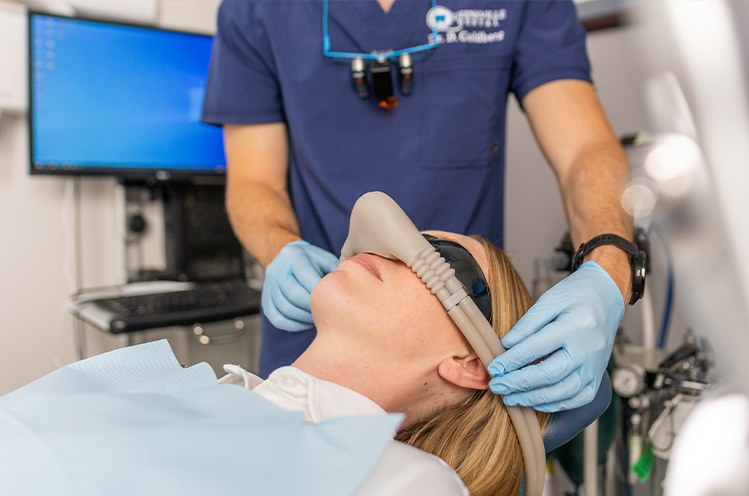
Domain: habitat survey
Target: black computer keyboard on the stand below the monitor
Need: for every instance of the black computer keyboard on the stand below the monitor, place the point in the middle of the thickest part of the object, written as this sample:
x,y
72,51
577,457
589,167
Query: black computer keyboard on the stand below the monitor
x,y
203,303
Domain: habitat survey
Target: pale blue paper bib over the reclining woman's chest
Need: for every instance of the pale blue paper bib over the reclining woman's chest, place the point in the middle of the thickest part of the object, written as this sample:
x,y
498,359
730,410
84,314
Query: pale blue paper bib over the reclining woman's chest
x,y
134,422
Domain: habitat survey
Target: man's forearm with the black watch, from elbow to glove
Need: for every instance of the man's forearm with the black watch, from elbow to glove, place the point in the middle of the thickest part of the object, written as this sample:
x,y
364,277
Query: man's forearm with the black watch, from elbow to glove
x,y
592,189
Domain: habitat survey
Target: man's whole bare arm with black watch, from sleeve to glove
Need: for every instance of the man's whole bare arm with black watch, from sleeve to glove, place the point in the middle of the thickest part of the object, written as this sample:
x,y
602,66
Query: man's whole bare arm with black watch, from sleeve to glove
x,y
590,166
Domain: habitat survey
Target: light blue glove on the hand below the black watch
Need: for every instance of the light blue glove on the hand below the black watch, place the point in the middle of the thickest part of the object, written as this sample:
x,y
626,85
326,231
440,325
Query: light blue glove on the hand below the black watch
x,y
576,320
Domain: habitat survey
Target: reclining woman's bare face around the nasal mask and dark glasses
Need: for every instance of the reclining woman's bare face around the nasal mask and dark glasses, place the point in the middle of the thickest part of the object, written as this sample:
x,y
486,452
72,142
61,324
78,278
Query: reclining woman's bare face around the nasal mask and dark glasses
x,y
381,303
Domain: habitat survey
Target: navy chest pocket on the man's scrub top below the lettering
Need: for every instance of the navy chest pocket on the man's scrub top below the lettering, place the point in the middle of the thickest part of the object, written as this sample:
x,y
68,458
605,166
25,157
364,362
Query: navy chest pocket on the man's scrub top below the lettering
x,y
463,101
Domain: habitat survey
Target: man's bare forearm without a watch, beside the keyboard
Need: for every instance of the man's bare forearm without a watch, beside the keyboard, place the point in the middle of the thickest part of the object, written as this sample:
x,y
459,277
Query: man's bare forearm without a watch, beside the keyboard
x,y
262,217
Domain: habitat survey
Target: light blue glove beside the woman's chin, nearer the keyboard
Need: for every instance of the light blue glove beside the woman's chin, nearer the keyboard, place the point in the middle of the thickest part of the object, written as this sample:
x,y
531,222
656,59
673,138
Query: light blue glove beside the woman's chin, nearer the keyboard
x,y
289,279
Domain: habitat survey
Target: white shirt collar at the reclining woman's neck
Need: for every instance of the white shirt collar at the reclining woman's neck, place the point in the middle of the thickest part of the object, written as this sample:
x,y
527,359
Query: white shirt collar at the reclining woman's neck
x,y
295,390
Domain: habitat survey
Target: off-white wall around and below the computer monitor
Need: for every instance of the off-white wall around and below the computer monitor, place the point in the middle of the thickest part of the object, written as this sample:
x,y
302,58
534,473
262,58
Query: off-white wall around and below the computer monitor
x,y
37,267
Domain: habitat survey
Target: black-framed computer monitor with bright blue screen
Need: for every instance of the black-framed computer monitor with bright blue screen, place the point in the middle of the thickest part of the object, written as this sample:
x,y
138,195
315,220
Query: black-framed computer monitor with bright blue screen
x,y
118,99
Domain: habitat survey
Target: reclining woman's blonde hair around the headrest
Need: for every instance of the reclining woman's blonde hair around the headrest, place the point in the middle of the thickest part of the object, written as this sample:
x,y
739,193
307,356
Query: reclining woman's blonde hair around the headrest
x,y
476,436
